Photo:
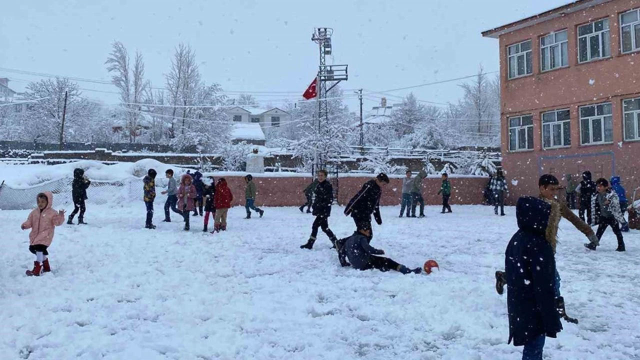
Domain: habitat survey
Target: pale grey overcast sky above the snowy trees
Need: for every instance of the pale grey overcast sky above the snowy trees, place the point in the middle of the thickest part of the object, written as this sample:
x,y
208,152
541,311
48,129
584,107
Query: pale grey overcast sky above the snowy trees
x,y
262,46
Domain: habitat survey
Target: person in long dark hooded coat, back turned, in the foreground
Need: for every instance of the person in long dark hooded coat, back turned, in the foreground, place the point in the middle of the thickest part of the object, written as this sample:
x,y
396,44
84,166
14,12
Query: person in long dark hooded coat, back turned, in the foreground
x,y
531,275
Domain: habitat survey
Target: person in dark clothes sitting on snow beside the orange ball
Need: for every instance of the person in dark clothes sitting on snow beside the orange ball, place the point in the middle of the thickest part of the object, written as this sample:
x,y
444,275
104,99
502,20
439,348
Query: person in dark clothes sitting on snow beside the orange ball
x,y
365,257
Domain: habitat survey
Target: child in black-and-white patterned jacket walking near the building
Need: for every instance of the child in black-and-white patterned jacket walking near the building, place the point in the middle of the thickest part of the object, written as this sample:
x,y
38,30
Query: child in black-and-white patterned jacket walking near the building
x,y
607,207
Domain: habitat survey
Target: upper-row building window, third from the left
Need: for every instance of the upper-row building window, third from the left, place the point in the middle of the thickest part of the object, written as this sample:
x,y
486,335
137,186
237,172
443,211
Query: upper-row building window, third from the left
x,y
593,41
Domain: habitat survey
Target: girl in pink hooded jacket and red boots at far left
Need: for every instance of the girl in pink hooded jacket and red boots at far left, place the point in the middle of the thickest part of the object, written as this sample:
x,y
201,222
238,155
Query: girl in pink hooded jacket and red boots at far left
x,y
42,222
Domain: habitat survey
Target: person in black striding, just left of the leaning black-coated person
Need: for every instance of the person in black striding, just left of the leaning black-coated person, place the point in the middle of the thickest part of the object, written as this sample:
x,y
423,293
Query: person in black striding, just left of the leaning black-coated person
x,y
321,210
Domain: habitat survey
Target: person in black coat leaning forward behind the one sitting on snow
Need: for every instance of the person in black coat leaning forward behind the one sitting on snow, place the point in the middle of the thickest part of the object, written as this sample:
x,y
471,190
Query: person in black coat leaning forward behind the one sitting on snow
x,y
367,202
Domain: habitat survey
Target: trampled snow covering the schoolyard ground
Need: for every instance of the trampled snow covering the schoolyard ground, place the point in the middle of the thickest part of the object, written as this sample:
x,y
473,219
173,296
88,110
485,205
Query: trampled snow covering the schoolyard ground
x,y
119,291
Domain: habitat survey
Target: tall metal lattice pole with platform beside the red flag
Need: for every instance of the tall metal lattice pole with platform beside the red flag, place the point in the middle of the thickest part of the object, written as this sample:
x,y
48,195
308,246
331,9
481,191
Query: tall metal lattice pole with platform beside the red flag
x,y
326,74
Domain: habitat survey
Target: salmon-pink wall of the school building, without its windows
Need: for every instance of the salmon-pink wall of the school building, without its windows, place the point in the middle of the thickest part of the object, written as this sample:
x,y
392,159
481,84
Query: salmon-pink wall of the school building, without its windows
x,y
608,80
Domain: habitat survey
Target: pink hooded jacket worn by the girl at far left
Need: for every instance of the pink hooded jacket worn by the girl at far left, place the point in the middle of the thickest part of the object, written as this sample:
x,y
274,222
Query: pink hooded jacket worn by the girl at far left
x,y
43,223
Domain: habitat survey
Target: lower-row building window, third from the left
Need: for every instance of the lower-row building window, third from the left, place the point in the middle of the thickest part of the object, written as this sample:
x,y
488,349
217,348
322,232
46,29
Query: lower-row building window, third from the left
x,y
596,124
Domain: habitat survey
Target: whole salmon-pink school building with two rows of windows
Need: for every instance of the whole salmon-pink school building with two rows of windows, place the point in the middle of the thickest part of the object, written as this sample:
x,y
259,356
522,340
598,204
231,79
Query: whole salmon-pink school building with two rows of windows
x,y
570,93
